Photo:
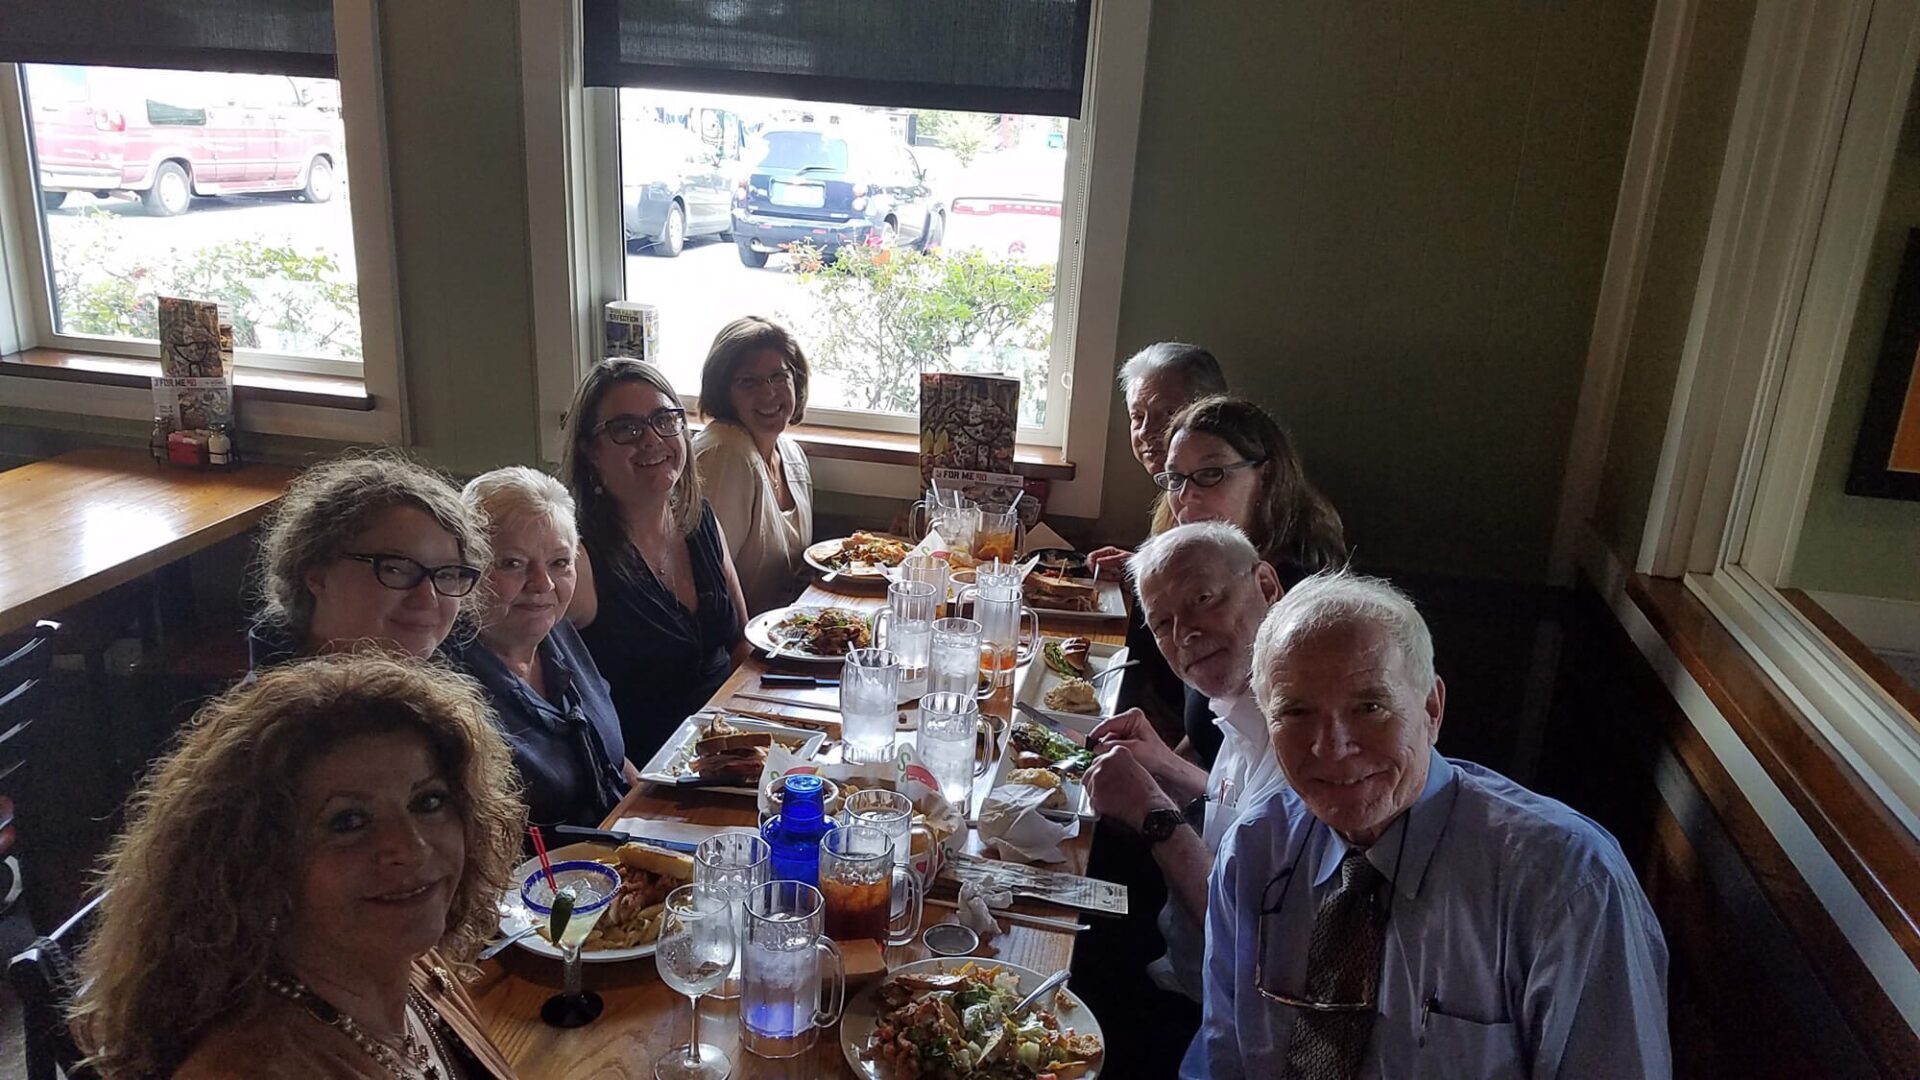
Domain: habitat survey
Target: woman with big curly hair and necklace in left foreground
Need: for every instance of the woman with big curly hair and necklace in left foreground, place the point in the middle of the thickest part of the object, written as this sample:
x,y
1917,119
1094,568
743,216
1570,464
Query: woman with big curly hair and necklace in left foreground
x,y
299,877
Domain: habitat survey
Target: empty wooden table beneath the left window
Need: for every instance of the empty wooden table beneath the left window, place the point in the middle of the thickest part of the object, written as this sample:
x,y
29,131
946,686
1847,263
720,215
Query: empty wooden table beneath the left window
x,y
99,518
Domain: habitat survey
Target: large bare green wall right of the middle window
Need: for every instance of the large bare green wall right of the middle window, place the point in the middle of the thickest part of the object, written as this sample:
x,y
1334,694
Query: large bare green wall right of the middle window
x,y
1391,222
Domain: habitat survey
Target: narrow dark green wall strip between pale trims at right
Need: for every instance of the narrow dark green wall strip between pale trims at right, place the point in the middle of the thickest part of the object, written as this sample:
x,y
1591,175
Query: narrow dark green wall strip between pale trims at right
x,y
1708,93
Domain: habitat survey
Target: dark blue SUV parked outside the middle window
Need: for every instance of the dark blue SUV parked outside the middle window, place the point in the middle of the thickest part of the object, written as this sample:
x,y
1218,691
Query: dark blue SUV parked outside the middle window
x,y
832,185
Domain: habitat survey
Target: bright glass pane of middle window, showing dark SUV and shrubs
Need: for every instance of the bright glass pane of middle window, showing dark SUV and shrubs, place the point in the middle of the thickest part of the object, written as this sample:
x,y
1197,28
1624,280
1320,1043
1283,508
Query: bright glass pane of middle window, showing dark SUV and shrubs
x,y
890,241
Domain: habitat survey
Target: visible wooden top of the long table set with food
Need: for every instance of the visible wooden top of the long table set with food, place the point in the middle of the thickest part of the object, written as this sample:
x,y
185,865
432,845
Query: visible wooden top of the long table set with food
x,y
642,1016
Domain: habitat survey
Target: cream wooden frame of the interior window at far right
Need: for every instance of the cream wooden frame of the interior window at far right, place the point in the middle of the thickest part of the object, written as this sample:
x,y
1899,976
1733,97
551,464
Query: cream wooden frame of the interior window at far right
x,y
1815,130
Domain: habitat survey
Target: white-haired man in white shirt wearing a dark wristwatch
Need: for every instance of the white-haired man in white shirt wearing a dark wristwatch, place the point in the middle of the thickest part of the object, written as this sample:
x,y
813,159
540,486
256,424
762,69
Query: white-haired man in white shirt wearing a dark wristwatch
x,y
1205,593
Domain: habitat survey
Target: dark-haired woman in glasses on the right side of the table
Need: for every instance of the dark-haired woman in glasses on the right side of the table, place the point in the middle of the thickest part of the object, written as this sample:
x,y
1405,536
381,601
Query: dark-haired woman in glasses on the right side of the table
x,y
1230,460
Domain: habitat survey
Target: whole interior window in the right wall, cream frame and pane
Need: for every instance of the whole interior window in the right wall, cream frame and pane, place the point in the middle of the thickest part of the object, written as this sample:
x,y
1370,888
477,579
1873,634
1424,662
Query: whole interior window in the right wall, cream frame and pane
x,y
1812,285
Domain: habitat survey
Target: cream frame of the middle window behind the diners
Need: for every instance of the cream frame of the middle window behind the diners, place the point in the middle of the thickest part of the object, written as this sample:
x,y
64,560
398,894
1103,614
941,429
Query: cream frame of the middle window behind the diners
x,y
579,262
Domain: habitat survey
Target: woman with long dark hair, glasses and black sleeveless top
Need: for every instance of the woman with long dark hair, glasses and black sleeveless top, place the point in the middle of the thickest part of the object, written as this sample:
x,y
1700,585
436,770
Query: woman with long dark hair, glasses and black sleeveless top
x,y
658,599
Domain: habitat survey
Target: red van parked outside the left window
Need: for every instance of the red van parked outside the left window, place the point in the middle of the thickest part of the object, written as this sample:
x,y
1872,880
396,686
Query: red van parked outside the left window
x,y
176,135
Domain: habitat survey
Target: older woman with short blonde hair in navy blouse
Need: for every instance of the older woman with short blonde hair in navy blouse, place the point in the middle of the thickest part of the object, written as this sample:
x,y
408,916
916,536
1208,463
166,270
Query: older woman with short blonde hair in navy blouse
x,y
548,699
